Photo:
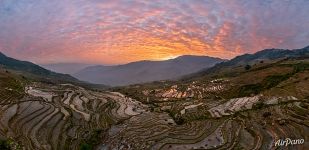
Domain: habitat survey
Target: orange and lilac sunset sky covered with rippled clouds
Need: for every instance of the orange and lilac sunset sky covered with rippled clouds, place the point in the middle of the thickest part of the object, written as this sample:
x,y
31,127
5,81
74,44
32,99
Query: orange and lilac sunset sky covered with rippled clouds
x,y
121,31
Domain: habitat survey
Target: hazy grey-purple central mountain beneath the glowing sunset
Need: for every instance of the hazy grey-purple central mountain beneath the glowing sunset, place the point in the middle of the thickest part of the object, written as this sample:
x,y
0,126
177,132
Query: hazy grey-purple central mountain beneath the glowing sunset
x,y
145,71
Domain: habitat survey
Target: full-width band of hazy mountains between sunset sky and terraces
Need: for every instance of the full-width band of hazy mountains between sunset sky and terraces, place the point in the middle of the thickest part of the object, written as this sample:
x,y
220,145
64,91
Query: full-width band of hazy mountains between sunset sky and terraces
x,y
144,71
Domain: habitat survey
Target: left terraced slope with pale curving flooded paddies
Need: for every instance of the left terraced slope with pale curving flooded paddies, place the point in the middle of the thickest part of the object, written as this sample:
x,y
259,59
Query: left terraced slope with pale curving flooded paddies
x,y
61,117
